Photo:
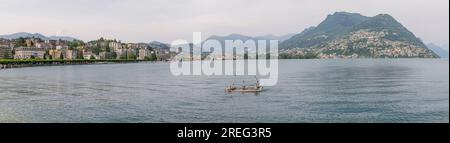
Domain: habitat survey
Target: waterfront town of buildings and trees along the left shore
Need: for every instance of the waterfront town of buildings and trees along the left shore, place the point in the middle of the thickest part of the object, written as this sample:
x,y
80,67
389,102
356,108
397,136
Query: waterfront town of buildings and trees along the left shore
x,y
36,48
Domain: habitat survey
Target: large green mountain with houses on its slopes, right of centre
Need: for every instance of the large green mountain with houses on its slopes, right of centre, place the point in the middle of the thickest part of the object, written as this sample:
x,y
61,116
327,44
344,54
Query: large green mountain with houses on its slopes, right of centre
x,y
352,34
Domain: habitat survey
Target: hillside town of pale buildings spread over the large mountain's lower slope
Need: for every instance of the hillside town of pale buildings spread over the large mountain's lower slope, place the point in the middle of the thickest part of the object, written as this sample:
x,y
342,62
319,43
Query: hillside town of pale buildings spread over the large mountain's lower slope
x,y
361,44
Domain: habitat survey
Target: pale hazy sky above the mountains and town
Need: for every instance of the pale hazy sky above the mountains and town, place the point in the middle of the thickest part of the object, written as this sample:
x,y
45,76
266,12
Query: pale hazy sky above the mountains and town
x,y
168,20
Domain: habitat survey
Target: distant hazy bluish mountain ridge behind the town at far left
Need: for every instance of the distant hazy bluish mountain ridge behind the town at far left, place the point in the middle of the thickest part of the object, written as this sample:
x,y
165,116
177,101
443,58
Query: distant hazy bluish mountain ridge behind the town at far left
x,y
36,35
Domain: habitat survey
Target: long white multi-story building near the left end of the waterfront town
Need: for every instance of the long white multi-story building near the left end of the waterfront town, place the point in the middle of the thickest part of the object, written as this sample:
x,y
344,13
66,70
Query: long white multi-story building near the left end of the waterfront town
x,y
29,53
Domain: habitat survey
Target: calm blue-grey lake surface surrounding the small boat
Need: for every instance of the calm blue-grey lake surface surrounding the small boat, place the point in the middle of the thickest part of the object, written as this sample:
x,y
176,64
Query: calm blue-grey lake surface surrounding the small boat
x,y
364,90
